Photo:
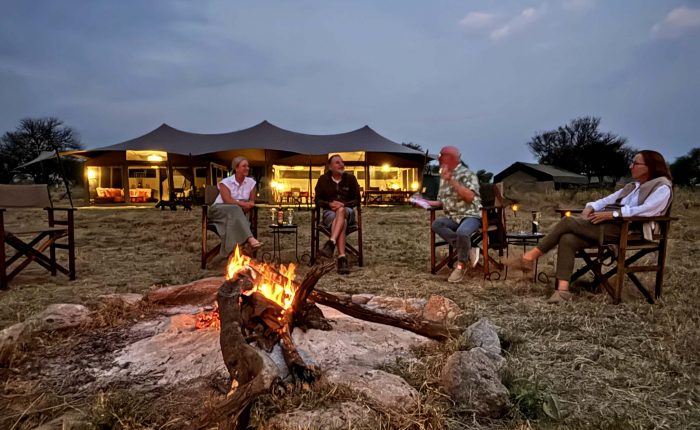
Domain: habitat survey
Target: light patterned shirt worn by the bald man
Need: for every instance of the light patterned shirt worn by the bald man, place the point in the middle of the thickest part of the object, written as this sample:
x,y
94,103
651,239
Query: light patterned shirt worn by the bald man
x,y
454,206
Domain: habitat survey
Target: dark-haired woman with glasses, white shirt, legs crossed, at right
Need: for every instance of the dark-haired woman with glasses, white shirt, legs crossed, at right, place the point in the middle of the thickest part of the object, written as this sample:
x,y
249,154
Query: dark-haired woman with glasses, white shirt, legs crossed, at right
x,y
649,195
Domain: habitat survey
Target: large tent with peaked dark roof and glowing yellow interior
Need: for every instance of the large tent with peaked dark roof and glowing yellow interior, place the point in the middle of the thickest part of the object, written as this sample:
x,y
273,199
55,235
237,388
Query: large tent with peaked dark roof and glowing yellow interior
x,y
275,152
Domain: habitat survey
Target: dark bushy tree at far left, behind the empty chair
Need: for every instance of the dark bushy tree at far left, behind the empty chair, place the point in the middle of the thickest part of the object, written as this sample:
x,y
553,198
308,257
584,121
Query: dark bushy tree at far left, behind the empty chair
x,y
31,137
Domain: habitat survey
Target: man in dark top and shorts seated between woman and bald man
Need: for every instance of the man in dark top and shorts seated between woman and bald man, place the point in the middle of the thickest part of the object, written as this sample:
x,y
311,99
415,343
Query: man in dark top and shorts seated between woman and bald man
x,y
337,192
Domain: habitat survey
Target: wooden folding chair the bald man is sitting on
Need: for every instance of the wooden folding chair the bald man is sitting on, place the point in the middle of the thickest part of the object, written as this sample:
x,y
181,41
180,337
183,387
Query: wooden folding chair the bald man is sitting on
x,y
490,237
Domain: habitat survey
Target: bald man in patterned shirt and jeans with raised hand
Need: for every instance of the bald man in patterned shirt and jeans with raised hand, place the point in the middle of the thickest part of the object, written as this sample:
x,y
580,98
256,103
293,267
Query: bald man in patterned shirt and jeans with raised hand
x,y
459,198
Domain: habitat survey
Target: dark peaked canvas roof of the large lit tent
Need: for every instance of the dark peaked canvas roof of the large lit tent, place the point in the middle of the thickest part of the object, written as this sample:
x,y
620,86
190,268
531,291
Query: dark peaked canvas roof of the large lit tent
x,y
263,136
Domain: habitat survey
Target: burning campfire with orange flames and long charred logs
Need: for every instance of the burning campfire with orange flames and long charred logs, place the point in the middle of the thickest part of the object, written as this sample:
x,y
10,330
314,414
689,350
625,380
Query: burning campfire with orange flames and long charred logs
x,y
261,304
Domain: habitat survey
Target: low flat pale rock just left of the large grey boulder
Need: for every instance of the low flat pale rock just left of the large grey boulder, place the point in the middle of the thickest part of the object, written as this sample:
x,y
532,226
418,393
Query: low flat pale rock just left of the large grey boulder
x,y
388,391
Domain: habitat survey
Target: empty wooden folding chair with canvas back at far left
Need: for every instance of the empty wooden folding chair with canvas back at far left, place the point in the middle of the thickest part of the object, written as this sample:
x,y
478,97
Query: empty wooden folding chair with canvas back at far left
x,y
39,238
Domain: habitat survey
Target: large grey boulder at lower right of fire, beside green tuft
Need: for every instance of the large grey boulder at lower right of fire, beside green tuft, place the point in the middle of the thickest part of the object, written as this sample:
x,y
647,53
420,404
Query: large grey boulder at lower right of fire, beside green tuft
x,y
470,377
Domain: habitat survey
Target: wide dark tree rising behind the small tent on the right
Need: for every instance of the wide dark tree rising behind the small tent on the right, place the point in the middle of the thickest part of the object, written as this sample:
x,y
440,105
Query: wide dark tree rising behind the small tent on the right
x,y
581,148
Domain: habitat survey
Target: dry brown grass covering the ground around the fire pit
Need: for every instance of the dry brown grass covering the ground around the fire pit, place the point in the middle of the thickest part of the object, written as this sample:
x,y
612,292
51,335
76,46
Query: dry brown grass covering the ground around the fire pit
x,y
595,365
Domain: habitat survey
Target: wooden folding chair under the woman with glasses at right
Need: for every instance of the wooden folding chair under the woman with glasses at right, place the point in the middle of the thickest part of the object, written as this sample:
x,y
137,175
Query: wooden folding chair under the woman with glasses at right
x,y
619,258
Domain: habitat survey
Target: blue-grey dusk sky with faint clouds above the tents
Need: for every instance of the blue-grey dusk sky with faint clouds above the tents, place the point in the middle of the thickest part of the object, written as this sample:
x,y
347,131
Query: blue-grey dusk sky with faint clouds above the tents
x,y
482,75
